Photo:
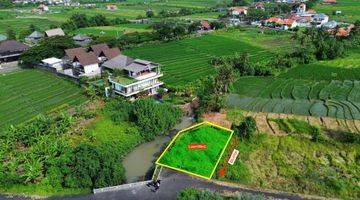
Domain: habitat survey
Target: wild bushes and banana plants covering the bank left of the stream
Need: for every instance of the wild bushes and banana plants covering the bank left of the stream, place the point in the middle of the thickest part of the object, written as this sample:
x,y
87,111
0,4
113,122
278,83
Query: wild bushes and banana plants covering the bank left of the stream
x,y
62,153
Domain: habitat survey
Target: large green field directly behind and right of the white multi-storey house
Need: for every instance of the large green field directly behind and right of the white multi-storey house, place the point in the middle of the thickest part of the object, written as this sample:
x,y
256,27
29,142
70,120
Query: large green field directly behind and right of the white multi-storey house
x,y
187,60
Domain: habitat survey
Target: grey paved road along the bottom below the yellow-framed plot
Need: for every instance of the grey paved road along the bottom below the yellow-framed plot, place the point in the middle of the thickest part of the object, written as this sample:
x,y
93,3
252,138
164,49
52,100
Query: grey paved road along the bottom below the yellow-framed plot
x,y
172,182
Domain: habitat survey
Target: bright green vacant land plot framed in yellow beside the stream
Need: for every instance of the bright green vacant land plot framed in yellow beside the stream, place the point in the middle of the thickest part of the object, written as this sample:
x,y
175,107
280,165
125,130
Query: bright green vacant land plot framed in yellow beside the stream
x,y
197,162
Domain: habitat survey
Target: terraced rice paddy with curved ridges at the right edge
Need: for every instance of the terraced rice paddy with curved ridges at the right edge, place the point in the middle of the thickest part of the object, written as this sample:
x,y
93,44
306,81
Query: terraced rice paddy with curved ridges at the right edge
x,y
339,99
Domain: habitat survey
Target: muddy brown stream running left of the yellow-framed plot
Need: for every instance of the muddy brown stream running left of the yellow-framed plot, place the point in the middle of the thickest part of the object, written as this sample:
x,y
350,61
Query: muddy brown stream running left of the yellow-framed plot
x,y
139,163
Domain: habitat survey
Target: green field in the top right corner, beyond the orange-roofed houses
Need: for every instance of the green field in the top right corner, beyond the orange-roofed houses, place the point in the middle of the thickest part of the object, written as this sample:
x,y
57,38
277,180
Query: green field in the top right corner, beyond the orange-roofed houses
x,y
349,9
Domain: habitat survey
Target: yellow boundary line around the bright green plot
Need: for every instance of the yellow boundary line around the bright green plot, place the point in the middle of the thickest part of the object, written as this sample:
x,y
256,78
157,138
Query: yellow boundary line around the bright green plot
x,y
191,127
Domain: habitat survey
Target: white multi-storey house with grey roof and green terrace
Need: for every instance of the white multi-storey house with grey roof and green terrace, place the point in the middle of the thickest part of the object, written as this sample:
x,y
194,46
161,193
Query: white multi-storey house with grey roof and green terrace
x,y
129,76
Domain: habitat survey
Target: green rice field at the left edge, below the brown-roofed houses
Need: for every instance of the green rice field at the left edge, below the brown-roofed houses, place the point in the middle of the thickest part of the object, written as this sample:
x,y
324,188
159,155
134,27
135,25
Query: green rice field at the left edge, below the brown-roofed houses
x,y
27,93
